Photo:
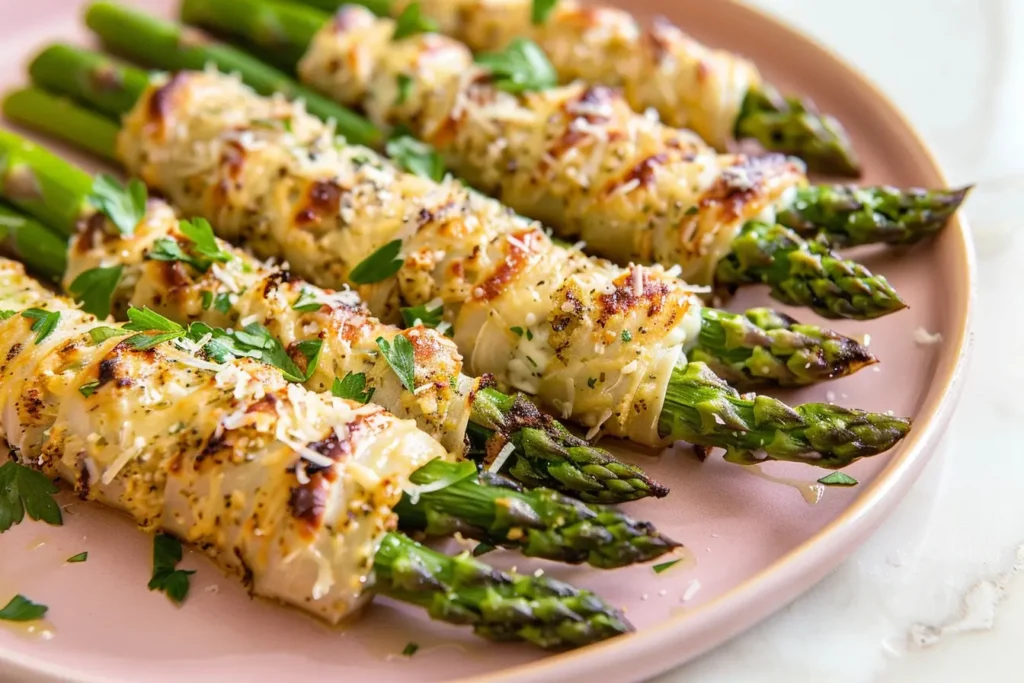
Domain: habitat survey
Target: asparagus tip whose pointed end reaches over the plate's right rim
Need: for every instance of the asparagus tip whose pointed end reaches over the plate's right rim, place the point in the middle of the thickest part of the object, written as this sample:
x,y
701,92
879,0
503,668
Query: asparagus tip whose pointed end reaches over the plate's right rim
x,y
850,217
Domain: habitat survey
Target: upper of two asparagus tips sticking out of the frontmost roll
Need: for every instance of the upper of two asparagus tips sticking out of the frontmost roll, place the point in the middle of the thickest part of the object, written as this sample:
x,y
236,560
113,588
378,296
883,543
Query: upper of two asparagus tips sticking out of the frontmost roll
x,y
539,523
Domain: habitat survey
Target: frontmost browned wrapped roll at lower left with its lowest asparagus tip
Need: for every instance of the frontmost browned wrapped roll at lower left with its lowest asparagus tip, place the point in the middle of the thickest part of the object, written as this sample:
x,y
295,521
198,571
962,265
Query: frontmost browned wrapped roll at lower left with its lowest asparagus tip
x,y
288,490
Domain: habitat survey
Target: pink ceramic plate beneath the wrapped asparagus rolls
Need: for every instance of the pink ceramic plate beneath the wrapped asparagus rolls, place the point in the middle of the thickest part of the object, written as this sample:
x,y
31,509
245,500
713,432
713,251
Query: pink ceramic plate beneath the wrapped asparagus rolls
x,y
757,544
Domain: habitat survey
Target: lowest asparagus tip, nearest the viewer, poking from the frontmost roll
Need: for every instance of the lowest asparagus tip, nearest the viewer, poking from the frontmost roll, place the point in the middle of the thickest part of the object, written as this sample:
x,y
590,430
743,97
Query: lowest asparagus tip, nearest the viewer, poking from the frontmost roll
x,y
500,606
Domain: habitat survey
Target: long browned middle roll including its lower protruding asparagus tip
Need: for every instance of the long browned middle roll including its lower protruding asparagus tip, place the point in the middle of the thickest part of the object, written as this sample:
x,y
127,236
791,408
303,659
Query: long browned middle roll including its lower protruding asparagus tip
x,y
603,345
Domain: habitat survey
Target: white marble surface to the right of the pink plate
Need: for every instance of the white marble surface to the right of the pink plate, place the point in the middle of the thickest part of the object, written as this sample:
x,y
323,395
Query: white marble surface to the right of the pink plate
x,y
933,595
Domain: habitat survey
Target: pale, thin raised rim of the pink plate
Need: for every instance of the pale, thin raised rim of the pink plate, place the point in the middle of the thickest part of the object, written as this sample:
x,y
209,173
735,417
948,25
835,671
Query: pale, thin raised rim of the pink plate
x,y
657,650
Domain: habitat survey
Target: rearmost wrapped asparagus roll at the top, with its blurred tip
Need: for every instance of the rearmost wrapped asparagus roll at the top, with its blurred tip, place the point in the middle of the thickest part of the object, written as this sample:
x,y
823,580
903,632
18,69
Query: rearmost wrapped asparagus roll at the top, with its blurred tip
x,y
718,95
